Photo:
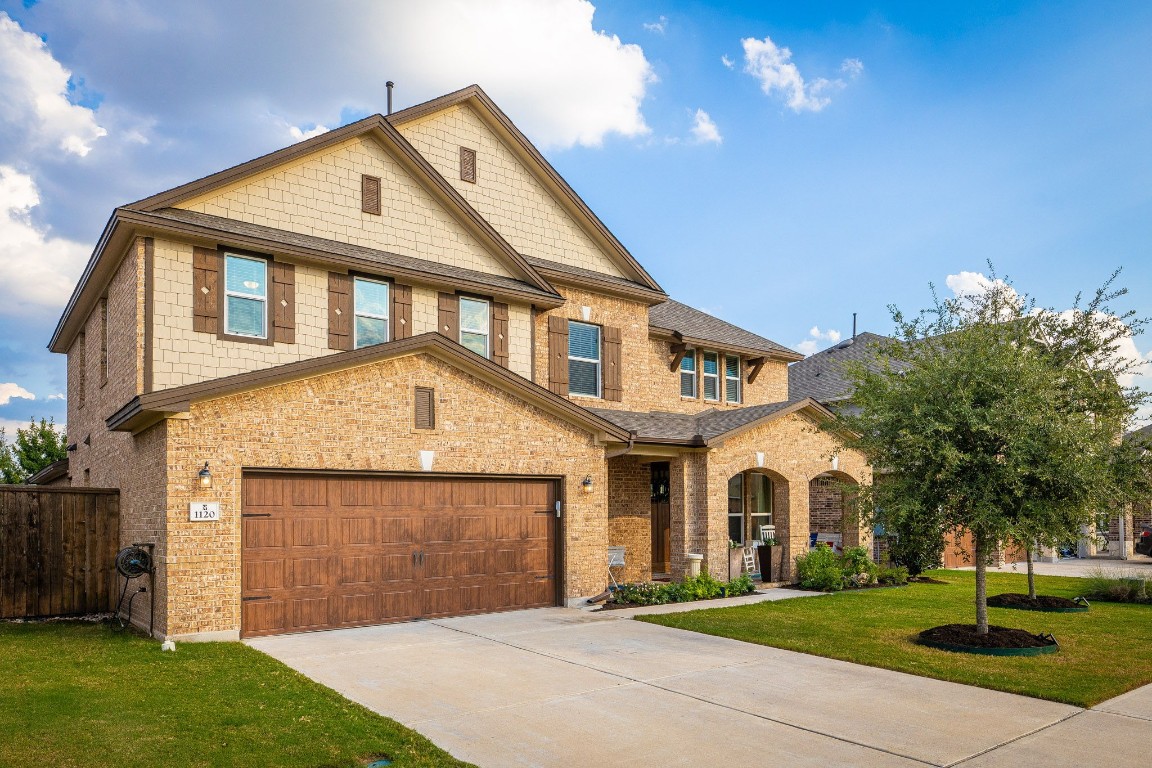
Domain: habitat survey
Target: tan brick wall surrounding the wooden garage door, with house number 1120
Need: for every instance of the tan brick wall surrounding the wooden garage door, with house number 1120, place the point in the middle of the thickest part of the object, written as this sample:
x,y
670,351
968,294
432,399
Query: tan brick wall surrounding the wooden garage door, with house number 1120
x,y
361,420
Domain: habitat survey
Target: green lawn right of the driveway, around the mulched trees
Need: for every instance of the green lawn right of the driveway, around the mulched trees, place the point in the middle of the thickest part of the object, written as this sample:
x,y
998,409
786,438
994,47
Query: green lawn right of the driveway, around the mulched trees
x,y
1104,652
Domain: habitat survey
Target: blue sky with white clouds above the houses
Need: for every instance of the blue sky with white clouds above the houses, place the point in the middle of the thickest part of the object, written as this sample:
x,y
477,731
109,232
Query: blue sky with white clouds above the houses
x,y
780,165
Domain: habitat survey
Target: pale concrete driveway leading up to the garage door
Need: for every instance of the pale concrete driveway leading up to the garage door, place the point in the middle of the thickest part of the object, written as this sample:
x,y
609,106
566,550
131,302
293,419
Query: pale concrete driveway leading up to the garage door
x,y
560,687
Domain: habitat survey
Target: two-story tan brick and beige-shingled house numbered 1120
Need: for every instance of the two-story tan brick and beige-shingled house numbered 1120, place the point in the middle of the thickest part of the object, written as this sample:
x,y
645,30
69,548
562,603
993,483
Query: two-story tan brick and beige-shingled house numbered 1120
x,y
426,381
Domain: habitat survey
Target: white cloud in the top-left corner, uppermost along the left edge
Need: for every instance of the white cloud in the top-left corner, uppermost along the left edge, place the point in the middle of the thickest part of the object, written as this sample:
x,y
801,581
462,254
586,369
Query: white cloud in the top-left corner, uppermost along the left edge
x,y
35,111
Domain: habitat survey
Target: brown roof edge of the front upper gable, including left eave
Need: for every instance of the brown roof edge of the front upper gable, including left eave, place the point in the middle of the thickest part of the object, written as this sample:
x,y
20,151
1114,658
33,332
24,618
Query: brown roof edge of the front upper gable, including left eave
x,y
85,295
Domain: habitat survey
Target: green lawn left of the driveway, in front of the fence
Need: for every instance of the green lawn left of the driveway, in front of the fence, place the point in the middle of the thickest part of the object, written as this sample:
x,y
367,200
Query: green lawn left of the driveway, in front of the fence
x,y
82,695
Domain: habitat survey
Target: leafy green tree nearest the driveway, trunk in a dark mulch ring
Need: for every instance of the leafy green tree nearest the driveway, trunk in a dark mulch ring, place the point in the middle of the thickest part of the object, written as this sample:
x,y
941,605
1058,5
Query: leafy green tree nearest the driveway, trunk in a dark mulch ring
x,y
995,416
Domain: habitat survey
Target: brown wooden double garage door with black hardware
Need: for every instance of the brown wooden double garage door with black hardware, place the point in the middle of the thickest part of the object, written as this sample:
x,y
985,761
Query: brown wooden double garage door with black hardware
x,y
322,552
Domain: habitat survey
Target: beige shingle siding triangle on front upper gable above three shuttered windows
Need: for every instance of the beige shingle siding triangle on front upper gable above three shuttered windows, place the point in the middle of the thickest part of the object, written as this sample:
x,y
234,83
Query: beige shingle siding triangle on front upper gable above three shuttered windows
x,y
321,196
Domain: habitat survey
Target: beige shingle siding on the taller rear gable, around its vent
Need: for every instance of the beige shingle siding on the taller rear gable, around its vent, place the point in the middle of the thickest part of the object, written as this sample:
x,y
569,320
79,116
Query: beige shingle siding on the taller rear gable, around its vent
x,y
505,193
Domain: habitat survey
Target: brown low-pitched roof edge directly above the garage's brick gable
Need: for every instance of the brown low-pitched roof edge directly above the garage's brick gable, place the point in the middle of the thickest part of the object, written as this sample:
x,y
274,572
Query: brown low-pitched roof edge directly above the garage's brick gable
x,y
146,410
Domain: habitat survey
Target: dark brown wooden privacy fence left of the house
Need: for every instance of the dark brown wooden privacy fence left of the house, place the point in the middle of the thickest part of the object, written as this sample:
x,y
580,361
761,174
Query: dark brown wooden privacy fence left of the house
x,y
58,549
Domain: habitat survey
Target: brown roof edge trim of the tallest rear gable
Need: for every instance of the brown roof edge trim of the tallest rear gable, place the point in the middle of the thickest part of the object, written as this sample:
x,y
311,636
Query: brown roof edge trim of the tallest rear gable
x,y
532,159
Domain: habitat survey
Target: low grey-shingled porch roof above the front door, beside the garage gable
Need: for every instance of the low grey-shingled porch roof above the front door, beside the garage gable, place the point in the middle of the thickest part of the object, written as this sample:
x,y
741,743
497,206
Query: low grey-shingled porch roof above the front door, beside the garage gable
x,y
711,428
